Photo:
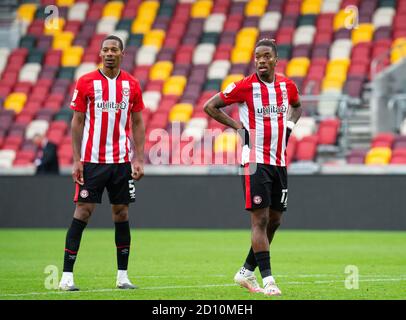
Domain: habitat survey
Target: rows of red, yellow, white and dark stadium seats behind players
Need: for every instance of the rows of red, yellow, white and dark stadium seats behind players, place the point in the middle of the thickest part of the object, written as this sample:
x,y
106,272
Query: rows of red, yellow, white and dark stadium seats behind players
x,y
183,52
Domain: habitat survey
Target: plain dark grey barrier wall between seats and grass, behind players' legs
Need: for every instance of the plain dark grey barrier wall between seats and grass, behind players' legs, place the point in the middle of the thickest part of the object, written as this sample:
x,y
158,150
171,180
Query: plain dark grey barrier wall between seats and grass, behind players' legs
x,y
315,202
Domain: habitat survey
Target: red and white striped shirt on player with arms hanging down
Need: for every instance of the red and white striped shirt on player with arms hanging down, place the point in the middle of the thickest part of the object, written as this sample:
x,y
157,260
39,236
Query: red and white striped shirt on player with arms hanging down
x,y
108,104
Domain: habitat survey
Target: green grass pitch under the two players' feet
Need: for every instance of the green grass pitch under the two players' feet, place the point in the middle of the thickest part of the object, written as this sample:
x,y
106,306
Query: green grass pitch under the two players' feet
x,y
200,264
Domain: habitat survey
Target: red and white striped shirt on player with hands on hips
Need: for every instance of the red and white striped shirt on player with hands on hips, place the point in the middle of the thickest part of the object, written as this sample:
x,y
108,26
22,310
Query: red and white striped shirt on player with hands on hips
x,y
263,110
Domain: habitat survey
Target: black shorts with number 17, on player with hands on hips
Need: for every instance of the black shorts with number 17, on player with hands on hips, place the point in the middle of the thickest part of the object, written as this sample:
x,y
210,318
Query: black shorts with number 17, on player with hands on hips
x,y
266,187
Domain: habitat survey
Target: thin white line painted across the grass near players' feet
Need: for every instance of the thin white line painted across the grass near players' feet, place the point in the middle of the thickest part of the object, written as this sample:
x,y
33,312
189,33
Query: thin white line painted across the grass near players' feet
x,y
195,286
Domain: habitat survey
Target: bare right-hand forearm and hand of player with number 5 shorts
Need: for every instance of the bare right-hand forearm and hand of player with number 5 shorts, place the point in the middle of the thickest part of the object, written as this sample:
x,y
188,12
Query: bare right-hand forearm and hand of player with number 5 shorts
x,y
138,132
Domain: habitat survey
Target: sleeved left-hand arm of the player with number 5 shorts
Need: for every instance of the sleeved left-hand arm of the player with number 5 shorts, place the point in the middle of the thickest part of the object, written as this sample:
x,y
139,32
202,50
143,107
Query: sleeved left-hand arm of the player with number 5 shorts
x,y
79,106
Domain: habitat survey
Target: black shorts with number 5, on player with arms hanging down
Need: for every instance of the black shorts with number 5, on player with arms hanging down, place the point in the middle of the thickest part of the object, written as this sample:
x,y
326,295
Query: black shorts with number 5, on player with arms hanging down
x,y
115,177
